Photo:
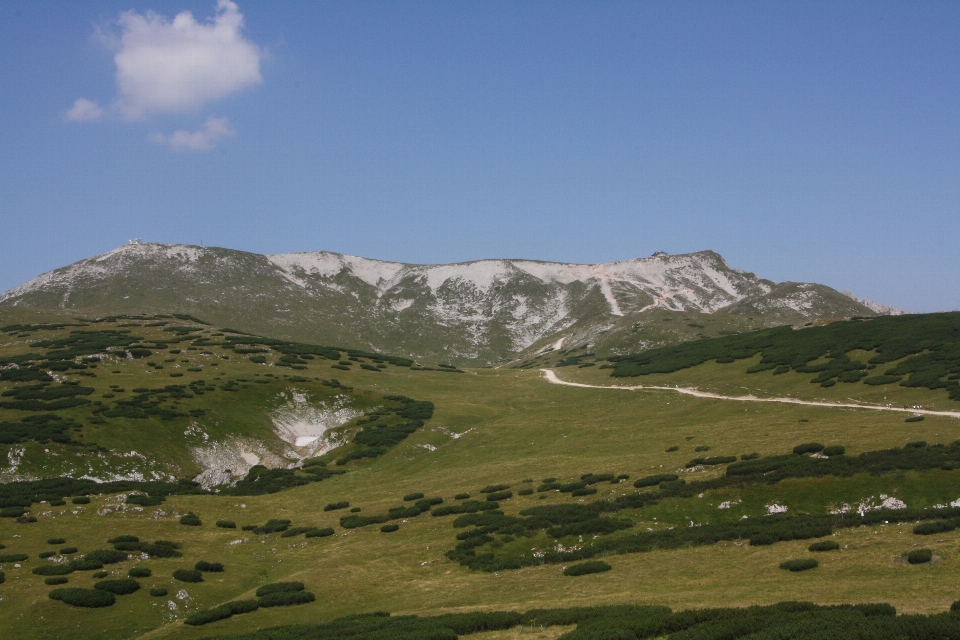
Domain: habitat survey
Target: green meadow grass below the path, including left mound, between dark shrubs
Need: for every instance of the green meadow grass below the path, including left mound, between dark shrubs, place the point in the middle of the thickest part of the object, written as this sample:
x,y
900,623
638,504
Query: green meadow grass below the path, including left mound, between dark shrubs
x,y
489,427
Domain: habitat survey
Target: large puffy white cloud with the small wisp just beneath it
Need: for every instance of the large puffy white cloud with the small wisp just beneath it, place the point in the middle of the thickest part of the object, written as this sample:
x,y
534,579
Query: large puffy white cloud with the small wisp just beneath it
x,y
179,66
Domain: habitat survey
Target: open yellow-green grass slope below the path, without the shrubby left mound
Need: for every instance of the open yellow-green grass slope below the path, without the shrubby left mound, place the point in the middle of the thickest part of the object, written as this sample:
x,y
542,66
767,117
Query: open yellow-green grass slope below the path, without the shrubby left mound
x,y
516,427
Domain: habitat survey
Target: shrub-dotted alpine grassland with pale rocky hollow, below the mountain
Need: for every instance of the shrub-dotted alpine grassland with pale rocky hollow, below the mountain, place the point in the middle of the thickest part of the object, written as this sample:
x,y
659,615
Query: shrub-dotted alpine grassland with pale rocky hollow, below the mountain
x,y
298,463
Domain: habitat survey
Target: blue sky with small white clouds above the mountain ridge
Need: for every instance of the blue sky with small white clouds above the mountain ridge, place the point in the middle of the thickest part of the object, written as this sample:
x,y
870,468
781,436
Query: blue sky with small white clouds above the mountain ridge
x,y
802,141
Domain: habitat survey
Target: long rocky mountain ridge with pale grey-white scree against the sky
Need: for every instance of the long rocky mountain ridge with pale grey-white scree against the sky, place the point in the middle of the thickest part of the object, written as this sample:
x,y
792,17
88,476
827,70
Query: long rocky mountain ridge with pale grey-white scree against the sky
x,y
481,313
